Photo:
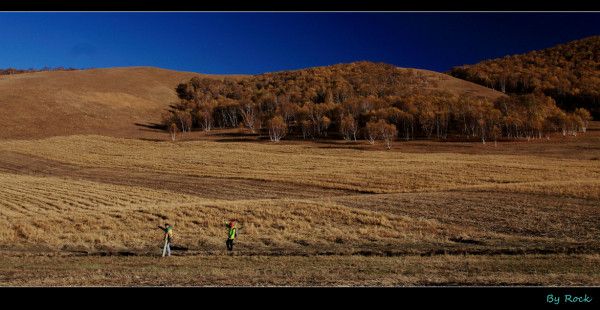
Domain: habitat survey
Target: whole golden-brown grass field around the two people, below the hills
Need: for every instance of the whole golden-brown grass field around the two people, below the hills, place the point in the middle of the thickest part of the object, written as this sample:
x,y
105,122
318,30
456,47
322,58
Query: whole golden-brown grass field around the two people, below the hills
x,y
406,216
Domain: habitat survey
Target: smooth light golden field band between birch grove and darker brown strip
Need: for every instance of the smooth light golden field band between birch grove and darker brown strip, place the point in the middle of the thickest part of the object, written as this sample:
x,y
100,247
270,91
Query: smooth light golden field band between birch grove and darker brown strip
x,y
304,165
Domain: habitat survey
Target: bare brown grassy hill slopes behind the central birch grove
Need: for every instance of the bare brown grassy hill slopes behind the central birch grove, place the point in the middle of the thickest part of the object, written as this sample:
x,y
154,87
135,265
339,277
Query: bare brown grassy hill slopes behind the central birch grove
x,y
112,101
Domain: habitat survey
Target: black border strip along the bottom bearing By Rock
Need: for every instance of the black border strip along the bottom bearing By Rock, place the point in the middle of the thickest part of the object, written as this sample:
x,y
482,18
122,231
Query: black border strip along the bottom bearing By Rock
x,y
303,298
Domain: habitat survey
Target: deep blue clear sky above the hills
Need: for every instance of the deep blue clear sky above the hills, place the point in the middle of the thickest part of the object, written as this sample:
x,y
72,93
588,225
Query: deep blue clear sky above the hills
x,y
262,42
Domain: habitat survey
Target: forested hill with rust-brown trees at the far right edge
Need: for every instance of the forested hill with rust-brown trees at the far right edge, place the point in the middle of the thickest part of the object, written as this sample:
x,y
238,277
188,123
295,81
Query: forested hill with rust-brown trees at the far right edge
x,y
569,73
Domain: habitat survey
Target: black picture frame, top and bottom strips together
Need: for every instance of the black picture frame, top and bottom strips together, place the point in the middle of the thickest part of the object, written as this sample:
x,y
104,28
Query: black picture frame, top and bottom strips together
x,y
400,297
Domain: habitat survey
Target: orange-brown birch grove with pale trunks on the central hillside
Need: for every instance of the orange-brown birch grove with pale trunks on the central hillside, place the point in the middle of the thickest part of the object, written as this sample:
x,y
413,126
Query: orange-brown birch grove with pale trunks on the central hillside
x,y
348,101
